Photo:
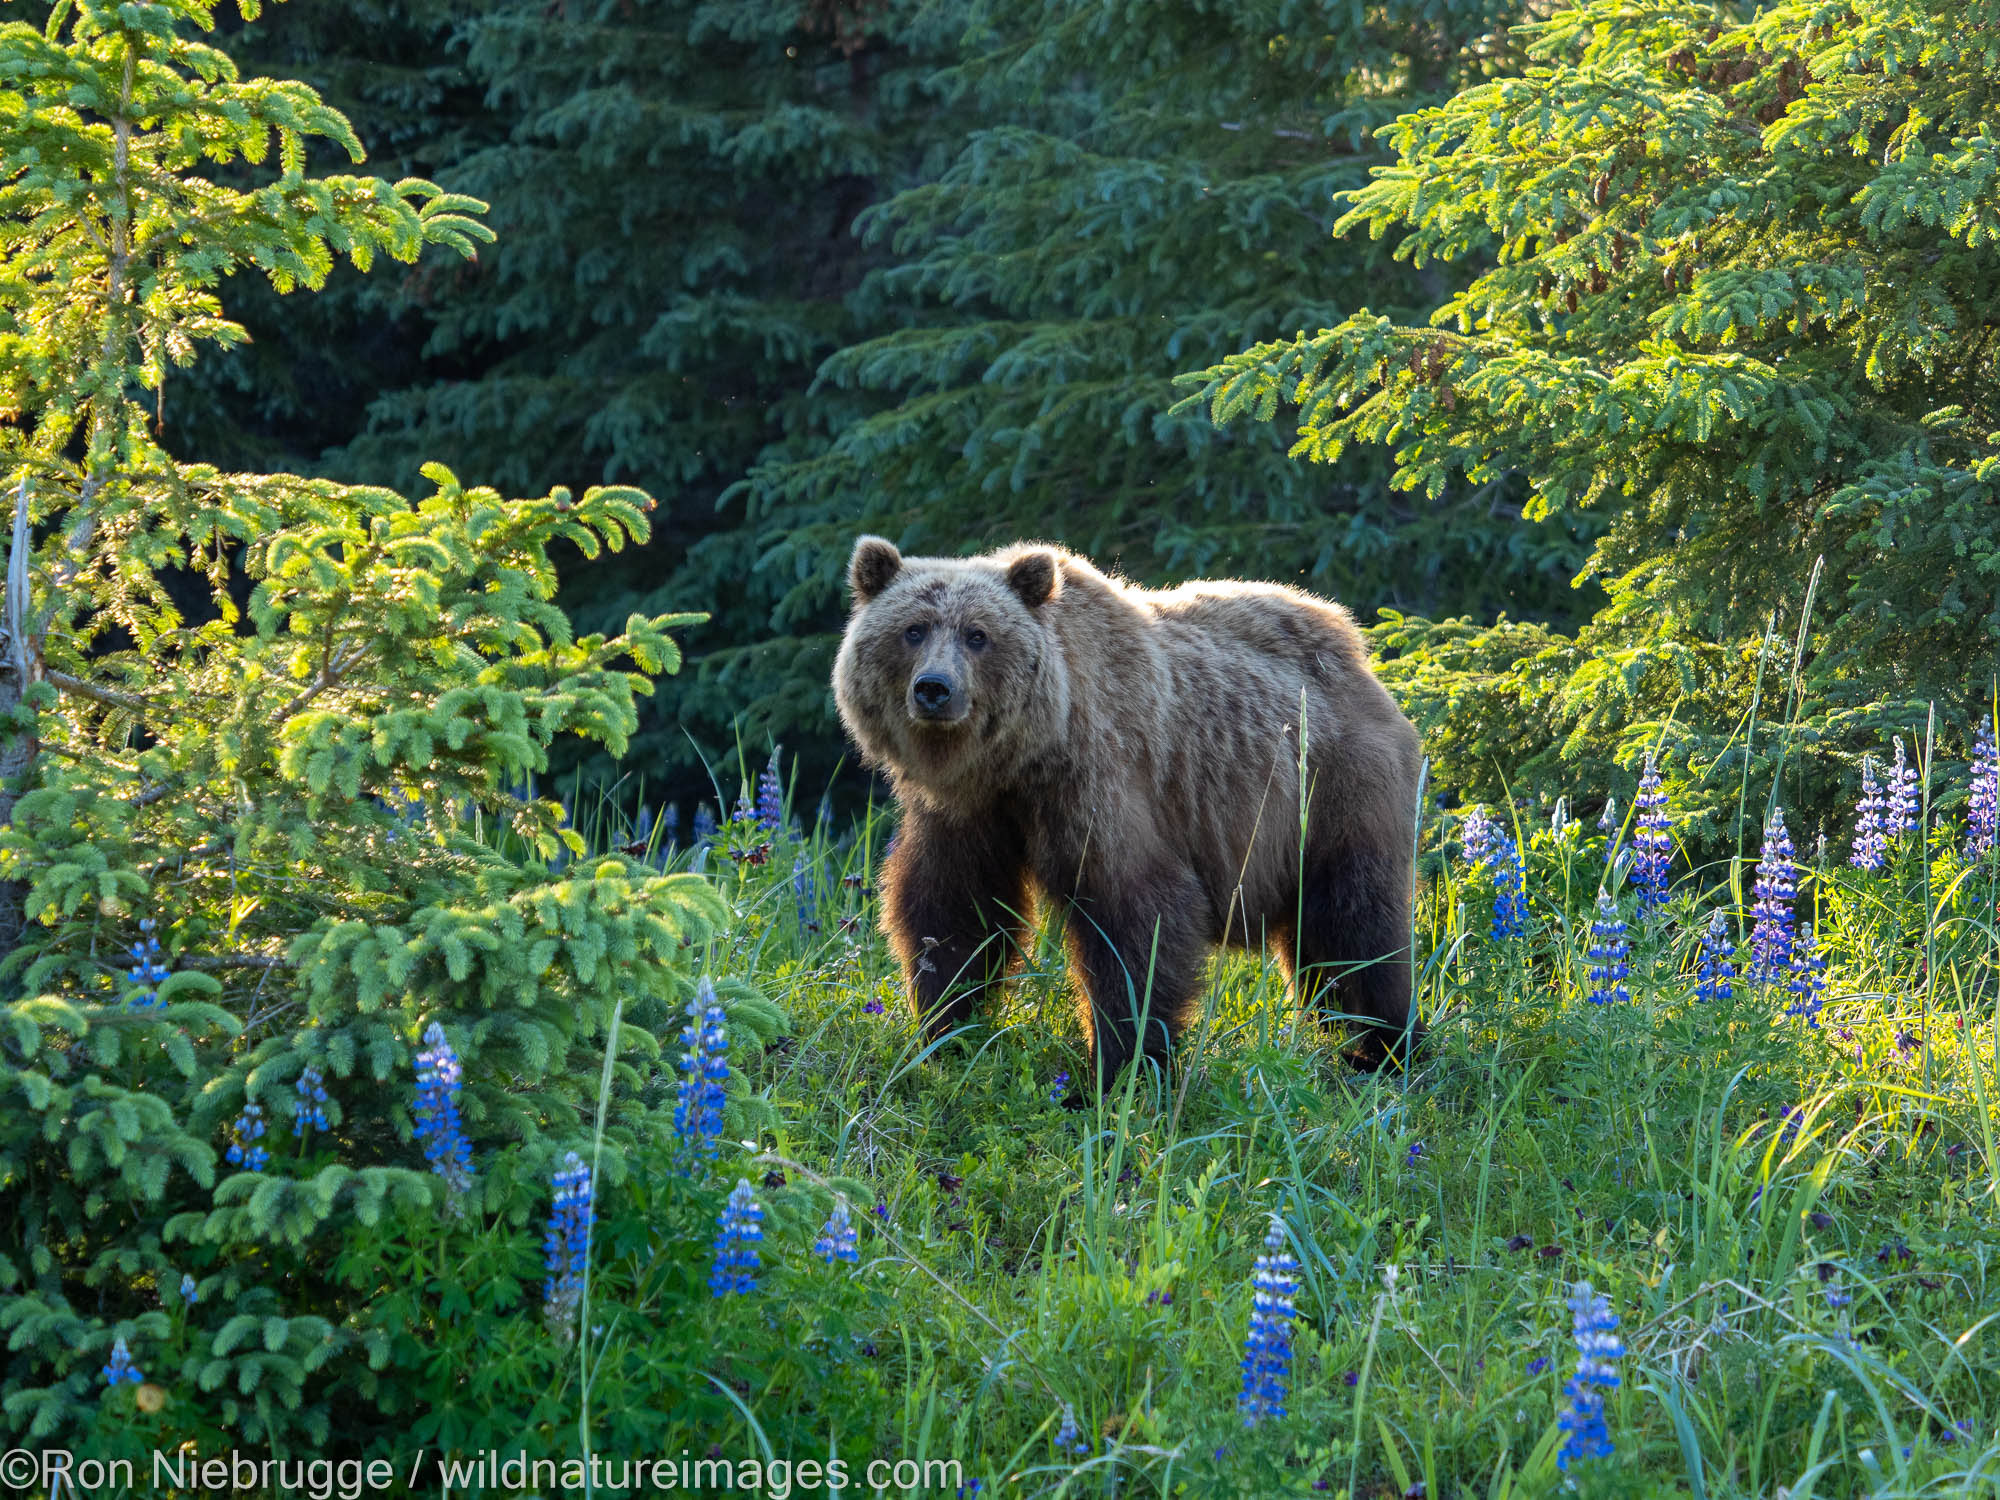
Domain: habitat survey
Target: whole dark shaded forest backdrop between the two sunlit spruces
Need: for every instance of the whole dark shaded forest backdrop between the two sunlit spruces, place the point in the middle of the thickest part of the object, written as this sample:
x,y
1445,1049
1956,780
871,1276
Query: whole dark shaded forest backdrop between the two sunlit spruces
x,y
805,271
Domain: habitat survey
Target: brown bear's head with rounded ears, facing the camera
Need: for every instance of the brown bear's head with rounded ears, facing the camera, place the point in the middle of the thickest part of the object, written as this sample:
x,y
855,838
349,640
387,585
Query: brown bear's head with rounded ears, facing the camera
x,y
951,673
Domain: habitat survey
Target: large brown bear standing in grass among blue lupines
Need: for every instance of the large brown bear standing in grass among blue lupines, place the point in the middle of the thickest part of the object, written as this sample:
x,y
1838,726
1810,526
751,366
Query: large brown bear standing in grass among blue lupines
x,y
1131,759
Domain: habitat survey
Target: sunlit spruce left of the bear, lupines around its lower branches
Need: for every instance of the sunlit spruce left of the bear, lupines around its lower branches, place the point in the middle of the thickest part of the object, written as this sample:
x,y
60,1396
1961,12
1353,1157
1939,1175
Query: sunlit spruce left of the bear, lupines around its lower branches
x,y
273,853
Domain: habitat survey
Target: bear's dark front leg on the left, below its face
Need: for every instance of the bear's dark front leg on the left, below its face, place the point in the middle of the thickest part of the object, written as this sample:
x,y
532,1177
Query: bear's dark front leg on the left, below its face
x,y
955,907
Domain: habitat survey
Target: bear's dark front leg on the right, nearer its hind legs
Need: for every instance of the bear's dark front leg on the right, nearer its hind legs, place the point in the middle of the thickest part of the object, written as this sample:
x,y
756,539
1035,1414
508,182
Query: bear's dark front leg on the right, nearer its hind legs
x,y
1137,951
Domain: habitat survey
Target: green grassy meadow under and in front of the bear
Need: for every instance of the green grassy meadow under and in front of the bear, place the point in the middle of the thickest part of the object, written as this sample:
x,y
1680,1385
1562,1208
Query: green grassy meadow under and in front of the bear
x,y
1027,1257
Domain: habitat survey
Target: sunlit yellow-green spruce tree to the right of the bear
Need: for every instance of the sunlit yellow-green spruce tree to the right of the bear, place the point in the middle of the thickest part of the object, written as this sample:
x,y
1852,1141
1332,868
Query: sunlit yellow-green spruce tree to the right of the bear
x,y
1737,293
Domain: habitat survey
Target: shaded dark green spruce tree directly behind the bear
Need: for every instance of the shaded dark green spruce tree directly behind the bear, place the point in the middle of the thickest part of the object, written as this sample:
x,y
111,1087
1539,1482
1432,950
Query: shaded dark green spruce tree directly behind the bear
x,y
1145,189
